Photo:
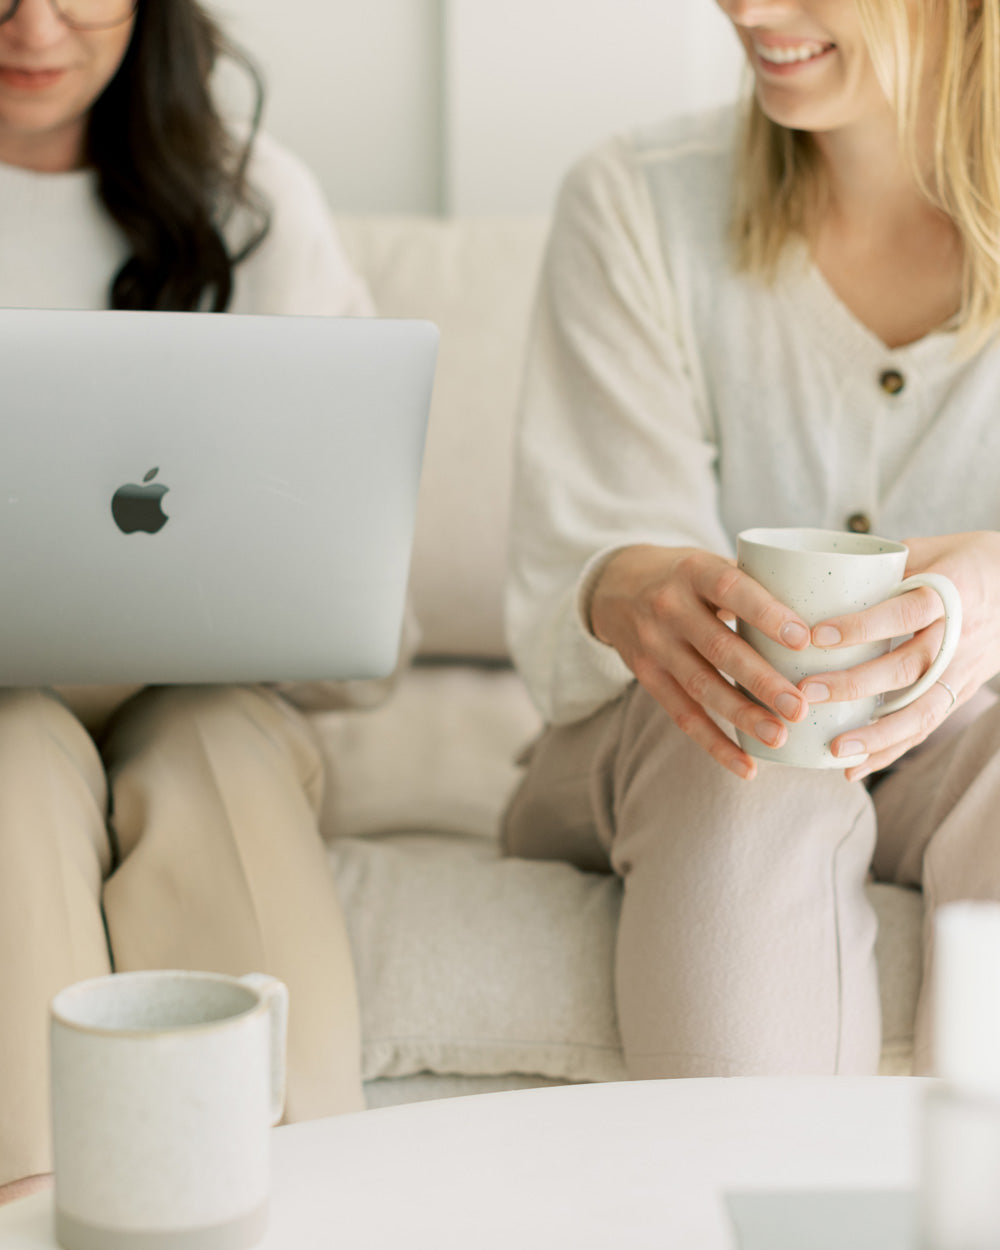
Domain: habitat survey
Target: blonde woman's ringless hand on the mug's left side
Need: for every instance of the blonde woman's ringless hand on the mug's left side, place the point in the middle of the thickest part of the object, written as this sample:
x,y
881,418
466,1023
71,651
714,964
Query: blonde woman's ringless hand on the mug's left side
x,y
666,613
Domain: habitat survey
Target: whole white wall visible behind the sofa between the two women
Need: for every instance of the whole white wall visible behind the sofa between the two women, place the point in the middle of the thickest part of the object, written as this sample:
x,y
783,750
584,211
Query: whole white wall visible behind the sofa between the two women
x,y
473,106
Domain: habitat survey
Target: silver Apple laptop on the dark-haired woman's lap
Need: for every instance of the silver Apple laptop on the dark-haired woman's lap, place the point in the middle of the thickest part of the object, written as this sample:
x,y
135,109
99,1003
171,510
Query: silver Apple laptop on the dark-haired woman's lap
x,y
204,498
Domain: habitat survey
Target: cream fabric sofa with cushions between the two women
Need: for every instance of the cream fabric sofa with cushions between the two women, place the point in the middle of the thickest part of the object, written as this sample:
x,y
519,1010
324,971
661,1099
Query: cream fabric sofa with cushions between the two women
x,y
478,973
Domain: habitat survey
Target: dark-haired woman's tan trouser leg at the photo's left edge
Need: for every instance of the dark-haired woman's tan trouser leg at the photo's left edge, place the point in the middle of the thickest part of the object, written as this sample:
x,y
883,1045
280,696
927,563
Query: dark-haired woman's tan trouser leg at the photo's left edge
x,y
56,853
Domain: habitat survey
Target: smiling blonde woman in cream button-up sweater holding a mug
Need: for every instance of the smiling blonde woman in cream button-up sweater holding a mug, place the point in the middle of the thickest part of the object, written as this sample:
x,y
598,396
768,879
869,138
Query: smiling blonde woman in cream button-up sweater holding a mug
x,y
776,317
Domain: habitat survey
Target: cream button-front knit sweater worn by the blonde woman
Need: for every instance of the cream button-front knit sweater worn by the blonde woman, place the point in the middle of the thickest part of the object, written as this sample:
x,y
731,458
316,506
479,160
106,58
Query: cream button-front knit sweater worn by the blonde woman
x,y
672,401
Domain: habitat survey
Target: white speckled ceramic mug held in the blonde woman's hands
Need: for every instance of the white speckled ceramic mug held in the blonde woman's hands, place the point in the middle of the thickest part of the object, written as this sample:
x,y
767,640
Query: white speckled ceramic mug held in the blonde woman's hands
x,y
827,573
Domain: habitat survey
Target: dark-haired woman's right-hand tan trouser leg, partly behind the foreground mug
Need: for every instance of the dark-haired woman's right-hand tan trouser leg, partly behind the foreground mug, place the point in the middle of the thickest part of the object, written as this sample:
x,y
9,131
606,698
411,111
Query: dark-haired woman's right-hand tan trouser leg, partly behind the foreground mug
x,y
216,793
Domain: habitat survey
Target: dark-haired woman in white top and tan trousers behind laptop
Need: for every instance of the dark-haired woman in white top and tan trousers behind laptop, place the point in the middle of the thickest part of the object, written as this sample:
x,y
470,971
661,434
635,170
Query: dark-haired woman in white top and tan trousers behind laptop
x,y
161,827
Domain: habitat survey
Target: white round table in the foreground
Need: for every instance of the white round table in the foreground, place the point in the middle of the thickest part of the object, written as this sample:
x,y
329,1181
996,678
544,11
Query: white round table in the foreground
x,y
587,1168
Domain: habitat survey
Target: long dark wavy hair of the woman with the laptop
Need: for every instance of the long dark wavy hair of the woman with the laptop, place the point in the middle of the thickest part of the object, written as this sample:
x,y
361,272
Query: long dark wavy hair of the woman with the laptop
x,y
169,172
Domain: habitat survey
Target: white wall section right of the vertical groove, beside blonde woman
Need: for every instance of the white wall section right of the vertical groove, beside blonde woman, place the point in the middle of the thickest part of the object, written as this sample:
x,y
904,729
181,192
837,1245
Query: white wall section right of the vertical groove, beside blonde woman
x,y
532,84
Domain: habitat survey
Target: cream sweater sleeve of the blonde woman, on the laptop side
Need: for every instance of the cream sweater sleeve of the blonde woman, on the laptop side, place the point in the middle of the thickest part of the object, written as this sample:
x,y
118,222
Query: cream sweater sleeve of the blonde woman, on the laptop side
x,y
614,444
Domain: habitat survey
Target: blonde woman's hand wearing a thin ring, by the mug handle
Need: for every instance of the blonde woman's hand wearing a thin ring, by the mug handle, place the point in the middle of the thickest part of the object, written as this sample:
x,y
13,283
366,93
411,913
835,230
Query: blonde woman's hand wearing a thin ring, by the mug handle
x,y
973,564
